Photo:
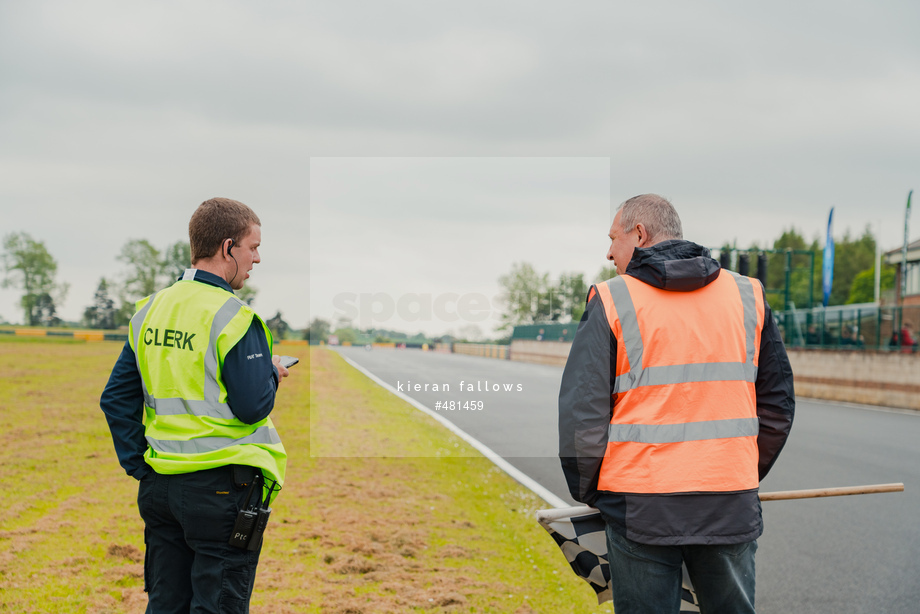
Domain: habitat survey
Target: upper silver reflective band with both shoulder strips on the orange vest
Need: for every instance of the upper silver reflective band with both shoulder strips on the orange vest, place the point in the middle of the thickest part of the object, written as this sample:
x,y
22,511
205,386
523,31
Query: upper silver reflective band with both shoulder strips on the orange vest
x,y
679,374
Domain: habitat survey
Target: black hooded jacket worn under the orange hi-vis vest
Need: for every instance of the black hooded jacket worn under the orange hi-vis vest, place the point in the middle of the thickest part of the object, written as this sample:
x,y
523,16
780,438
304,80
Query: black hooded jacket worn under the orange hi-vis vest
x,y
585,410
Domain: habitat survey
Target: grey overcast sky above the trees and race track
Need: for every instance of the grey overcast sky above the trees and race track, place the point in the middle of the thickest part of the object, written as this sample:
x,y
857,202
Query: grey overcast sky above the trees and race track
x,y
407,149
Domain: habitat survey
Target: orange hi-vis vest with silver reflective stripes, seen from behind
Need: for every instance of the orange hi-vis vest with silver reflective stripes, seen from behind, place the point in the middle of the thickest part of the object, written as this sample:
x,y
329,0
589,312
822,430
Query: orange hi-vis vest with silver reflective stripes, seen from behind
x,y
685,409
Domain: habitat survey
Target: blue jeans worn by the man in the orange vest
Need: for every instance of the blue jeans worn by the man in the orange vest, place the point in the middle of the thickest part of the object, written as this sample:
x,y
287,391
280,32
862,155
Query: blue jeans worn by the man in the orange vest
x,y
646,579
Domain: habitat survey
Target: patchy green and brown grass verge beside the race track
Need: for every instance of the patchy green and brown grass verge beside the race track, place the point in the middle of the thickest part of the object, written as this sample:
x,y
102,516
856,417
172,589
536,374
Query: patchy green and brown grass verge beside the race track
x,y
390,514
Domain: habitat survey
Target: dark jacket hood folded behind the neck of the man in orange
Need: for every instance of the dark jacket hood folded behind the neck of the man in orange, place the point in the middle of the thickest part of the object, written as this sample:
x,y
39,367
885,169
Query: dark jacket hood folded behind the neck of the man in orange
x,y
679,266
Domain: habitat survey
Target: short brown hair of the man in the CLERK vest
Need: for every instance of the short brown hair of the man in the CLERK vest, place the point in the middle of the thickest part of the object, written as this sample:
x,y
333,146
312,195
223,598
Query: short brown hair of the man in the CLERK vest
x,y
215,221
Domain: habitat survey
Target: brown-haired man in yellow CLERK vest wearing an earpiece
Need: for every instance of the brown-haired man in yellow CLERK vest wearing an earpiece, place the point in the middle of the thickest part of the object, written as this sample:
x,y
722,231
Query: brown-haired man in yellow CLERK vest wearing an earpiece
x,y
188,405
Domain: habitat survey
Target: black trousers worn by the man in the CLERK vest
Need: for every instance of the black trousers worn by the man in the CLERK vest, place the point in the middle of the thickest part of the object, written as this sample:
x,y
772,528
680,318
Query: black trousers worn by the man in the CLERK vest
x,y
189,567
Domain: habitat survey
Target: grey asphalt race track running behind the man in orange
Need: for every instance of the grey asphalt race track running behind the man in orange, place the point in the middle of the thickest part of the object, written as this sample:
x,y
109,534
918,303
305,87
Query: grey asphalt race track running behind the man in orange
x,y
840,554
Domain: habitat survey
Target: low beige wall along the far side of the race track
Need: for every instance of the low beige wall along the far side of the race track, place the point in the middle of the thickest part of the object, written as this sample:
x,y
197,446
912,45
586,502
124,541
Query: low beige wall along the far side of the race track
x,y
889,379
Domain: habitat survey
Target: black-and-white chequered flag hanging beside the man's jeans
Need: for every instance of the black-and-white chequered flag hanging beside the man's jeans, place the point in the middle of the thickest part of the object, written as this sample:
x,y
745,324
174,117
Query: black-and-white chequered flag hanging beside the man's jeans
x,y
580,533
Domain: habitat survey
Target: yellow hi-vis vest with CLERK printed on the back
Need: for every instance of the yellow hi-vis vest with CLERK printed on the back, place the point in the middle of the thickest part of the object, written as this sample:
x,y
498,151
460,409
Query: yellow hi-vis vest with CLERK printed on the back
x,y
180,337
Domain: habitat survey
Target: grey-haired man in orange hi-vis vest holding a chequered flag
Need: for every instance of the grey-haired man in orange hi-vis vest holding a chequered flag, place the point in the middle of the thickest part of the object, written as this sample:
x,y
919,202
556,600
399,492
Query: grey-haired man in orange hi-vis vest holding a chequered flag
x,y
676,399
